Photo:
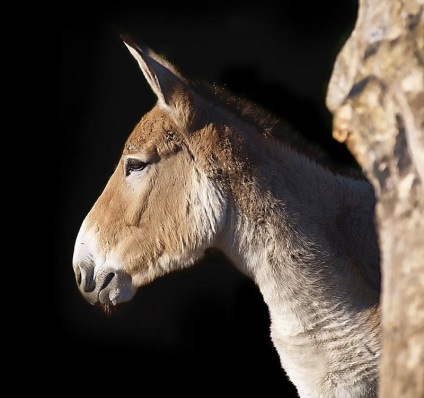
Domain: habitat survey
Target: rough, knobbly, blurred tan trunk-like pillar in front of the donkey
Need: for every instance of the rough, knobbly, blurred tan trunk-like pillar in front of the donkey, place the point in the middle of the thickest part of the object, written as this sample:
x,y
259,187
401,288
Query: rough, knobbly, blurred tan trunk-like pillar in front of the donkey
x,y
376,95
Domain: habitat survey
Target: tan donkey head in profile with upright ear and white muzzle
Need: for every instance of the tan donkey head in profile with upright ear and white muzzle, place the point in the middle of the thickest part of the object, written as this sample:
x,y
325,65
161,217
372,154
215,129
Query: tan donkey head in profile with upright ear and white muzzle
x,y
166,201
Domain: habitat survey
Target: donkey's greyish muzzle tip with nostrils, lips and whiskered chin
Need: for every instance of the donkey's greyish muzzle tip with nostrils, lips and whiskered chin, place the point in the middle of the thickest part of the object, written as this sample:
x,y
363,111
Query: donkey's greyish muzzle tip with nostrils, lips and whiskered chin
x,y
107,288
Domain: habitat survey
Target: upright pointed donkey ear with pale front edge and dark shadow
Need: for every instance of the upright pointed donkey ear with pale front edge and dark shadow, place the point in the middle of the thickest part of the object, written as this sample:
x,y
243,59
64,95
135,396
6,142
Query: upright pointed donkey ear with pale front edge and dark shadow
x,y
171,88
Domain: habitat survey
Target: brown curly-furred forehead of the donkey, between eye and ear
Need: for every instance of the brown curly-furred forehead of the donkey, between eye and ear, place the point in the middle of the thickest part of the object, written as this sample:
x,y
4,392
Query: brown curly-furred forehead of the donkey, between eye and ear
x,y
151,129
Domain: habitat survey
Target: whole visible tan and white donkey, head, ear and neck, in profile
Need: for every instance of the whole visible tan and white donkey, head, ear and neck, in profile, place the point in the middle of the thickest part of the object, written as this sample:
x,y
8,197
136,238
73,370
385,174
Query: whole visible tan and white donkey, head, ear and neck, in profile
x,y
222,173
